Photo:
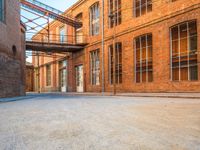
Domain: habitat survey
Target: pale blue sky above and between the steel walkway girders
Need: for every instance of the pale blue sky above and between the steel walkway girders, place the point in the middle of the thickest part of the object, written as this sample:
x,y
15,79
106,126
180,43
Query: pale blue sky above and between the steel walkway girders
x,y
58,4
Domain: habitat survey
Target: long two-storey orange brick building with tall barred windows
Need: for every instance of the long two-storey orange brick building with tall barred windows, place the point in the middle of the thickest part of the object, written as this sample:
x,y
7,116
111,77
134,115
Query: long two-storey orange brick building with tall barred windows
x,y
155,44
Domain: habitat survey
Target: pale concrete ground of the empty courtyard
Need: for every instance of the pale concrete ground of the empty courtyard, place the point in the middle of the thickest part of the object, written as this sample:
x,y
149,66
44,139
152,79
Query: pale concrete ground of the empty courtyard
x,y
58,122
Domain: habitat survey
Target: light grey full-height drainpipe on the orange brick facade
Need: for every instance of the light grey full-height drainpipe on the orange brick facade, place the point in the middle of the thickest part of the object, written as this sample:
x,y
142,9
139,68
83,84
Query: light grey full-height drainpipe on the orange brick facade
x,y
102,26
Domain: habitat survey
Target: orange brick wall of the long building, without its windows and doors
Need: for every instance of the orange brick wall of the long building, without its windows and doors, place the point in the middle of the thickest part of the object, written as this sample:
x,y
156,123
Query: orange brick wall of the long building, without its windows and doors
x,y
158,22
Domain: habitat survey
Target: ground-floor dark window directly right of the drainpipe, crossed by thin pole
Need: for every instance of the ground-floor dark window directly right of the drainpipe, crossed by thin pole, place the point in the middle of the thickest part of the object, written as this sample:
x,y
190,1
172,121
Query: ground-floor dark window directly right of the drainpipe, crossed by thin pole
x,y
118,63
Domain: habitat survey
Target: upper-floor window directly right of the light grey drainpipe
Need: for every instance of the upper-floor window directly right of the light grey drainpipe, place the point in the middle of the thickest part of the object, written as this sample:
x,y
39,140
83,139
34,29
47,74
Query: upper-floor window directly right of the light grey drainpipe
x,y
115,14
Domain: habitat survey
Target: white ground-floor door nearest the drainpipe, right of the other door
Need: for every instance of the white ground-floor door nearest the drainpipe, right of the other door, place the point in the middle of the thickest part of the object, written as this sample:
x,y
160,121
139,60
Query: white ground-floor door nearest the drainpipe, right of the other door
x,y
79,78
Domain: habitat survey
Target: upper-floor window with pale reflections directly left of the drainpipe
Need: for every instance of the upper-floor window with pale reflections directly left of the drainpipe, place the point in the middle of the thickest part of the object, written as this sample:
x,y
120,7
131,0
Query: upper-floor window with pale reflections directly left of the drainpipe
x,y
94,19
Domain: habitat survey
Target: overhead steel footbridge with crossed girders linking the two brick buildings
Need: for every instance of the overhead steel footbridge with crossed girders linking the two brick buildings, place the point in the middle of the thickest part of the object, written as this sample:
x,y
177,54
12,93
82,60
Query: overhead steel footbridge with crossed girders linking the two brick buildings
x,y
45,12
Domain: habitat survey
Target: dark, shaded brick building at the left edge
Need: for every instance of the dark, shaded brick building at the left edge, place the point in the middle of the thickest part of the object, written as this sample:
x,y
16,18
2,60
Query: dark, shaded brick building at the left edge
x,y
12,50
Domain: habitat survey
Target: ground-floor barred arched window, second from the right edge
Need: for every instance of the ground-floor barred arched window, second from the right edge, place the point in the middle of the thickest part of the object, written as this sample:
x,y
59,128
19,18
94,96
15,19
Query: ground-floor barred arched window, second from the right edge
x,y
143,59
